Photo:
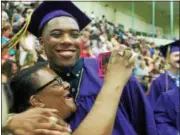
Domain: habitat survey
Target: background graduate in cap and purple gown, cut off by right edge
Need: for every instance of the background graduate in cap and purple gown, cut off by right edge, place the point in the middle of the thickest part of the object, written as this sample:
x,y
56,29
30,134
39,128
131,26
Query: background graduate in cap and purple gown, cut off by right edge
x,y
170,79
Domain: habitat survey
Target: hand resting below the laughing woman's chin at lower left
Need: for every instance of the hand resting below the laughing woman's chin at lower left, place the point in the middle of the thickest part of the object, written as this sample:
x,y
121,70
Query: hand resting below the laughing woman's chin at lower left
x,y
36,121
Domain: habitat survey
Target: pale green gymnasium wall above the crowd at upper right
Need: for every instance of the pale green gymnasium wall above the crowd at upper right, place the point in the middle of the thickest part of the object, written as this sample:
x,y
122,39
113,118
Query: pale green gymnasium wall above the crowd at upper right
x,y
120,13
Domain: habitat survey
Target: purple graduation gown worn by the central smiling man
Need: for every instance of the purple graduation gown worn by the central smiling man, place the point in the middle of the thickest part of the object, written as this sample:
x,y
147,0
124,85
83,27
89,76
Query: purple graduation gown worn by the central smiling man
x,y
134,115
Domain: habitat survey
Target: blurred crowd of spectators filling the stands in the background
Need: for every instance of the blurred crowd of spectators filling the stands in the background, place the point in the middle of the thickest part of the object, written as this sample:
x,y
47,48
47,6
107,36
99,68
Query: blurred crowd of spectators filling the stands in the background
x,y
99,37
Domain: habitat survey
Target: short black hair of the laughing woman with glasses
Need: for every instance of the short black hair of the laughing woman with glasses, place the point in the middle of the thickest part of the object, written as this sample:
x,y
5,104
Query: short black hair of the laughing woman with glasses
x,y
22,87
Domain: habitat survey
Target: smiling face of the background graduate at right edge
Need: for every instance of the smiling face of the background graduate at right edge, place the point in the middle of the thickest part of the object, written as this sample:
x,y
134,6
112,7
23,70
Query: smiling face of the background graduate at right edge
x,y
175,59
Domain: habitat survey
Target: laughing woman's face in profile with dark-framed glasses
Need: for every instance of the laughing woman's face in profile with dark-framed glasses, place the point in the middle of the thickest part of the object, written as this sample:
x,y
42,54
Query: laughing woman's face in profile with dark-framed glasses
x,y
54,93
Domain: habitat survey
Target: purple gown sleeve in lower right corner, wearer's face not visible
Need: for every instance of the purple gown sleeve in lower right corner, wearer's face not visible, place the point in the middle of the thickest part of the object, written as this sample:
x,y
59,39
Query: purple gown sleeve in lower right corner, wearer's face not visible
x,y
166,113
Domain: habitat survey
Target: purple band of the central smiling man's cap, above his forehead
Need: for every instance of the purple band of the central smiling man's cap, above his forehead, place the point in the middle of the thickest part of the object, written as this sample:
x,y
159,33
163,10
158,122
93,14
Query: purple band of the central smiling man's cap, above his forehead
x,y
53,14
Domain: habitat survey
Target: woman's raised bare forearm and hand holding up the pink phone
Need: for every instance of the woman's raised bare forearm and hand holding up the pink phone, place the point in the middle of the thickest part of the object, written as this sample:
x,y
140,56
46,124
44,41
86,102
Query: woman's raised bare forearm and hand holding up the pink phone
x,y
100,119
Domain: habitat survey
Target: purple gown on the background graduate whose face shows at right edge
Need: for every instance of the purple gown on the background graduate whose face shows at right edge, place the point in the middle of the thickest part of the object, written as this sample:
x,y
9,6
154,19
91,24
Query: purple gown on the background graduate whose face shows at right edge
x,y
158,86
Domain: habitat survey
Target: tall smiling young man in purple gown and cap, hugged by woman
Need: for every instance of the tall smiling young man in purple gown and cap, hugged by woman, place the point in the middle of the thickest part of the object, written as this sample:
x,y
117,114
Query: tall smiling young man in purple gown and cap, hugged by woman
x,y
134,114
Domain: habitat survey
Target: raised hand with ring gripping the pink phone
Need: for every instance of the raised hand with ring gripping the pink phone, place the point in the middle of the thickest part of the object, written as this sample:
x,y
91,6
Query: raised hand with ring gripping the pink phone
x,y
120,65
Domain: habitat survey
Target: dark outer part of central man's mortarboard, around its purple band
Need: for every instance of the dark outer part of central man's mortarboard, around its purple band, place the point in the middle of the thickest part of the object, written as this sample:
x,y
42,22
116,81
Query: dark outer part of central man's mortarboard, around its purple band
x,y
47,7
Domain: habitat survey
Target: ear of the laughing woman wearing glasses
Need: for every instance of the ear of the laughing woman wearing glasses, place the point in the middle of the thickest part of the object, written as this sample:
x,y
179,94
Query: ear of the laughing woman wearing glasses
x,y
36,101
